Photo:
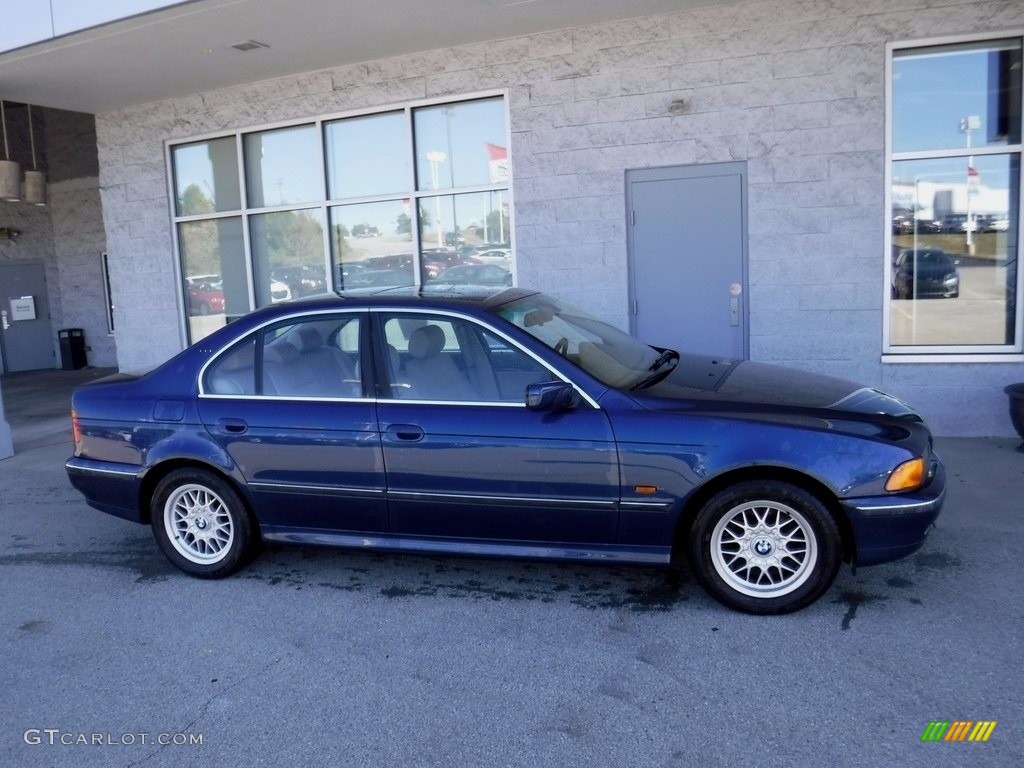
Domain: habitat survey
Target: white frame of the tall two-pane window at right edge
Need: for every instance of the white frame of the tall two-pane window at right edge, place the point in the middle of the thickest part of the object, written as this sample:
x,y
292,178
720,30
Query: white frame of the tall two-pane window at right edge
x,y
948,353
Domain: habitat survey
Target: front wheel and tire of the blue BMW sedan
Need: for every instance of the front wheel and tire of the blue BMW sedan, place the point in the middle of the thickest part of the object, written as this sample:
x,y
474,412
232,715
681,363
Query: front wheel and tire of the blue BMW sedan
x,y
777,517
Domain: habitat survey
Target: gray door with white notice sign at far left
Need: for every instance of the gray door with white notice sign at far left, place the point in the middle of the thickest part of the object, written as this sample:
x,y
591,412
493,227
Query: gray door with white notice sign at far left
x,y
25,319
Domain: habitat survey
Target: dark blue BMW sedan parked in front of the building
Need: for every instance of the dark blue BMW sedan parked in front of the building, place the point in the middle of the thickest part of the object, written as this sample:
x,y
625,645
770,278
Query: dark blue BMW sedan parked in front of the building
x,y
505,424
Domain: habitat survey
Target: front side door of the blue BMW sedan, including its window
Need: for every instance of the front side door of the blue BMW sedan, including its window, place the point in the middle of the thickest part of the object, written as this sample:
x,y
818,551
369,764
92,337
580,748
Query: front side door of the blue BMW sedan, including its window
x,y
465,458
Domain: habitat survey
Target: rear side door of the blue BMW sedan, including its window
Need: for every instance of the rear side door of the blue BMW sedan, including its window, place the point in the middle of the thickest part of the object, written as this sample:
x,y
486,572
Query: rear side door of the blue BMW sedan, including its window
x,y
289,406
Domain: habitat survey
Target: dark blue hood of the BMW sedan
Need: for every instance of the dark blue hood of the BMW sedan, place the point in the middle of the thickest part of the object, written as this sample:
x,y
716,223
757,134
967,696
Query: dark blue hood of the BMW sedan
x,y
746,383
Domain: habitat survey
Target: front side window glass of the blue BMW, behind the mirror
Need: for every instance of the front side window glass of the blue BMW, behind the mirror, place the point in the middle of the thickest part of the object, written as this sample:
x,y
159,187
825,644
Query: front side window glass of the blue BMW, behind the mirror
x,y
455,361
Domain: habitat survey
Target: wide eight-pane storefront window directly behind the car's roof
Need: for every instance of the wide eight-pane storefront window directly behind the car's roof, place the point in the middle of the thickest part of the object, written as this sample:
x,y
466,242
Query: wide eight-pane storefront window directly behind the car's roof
x,y
344,203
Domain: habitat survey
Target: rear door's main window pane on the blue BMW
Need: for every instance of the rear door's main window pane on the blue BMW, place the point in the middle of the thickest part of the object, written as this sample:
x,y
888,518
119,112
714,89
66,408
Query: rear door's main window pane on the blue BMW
x,y
313,358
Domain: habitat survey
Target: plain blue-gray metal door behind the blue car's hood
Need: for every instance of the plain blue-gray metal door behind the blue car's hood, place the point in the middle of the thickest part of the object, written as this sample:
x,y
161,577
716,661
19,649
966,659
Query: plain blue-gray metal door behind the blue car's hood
x,y
688,241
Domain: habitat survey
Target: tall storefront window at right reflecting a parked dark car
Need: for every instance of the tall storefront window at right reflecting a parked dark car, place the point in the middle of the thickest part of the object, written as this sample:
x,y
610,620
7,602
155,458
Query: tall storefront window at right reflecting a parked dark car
x,y
956,183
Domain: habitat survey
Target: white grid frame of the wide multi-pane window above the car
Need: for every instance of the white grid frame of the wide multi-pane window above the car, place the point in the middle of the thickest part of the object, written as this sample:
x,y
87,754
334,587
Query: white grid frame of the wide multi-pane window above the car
x,y
326,204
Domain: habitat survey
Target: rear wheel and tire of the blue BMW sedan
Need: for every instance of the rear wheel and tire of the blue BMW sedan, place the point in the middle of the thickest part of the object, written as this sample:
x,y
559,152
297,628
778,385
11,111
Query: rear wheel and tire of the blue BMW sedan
x,y
201,524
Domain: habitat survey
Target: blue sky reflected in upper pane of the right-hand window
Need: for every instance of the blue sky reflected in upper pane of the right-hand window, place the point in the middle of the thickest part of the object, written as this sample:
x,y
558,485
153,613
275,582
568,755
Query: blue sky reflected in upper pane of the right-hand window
x,y
933,93
